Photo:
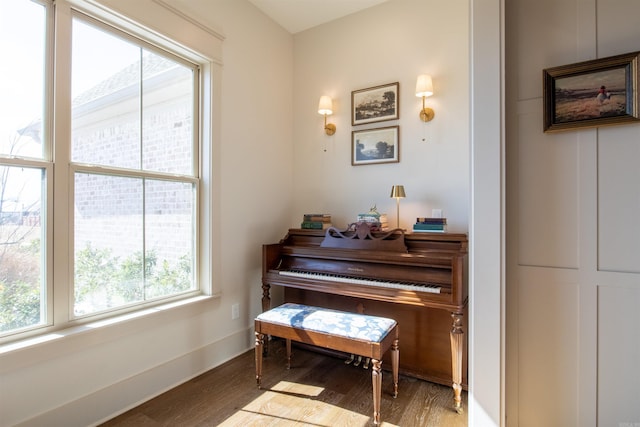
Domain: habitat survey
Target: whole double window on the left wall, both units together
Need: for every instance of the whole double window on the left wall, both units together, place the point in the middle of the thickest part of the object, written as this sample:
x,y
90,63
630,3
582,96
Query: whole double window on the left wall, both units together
x,y
130,162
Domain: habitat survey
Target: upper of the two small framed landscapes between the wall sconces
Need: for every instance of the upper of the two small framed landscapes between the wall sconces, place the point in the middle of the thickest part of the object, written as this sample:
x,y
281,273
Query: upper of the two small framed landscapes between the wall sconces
x,y
375,104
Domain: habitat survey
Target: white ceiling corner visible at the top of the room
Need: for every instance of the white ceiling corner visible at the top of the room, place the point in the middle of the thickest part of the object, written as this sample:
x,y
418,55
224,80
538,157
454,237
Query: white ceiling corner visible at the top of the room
x,y
299,15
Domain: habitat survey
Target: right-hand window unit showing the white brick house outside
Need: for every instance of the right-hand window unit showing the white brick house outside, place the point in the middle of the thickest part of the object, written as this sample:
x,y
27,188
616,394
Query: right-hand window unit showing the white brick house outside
x,y
132,153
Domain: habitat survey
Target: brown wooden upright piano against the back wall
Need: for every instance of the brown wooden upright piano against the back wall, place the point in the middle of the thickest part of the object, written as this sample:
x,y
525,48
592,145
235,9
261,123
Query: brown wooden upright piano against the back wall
x,y
418,279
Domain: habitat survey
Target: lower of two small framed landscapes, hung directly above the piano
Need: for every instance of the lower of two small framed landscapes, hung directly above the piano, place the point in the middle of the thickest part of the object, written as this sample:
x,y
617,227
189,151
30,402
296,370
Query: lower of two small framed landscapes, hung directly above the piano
x,y
373,146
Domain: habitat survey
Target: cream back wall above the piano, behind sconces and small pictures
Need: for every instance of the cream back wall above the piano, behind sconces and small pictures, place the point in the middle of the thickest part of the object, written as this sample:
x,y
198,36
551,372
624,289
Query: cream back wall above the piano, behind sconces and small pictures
x,y
392,42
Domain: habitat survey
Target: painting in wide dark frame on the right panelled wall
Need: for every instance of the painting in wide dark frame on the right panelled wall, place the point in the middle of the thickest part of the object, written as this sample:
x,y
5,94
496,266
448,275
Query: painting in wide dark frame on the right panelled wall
x,y
591,93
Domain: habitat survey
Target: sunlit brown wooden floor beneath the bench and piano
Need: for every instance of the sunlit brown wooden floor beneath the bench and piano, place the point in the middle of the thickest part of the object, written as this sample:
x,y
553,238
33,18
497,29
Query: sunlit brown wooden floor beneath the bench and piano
x,y
318,391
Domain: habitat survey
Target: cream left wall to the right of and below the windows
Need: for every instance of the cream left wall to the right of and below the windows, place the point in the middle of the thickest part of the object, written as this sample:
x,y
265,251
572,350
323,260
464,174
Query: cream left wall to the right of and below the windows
x,y
83,376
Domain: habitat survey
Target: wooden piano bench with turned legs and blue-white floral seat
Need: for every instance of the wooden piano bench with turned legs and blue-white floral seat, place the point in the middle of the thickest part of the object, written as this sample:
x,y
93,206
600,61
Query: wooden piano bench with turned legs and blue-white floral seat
x,y
359,334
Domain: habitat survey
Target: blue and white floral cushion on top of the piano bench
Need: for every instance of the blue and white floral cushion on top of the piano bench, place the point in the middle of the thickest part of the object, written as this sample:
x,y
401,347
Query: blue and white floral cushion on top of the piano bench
x,y
350,325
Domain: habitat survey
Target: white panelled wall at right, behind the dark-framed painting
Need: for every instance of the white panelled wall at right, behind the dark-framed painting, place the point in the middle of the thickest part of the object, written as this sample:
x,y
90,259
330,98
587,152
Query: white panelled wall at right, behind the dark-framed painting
x,y
573,282
